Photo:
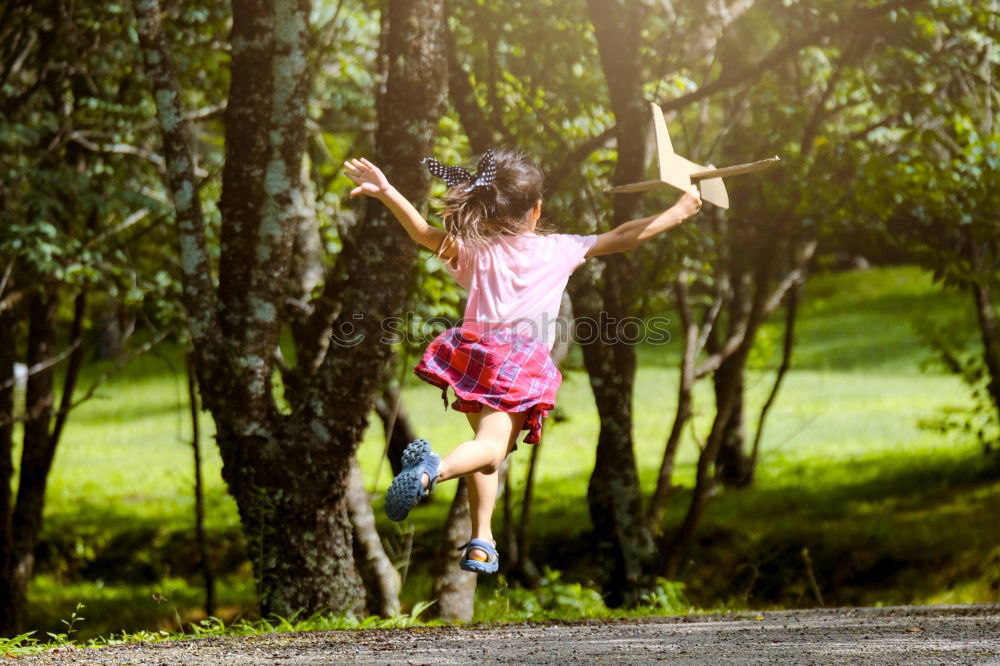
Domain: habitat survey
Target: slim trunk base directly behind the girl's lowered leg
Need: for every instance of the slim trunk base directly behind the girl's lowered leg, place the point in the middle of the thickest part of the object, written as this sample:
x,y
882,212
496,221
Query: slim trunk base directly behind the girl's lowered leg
x,y
454,589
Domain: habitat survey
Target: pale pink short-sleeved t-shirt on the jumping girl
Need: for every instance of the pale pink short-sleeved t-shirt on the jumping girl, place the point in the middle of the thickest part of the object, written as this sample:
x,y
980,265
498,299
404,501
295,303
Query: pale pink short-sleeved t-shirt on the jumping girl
x,y
518,281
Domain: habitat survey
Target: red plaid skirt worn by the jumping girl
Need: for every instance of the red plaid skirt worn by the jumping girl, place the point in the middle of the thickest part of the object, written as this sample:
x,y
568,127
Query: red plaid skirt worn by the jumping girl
x,y
493,367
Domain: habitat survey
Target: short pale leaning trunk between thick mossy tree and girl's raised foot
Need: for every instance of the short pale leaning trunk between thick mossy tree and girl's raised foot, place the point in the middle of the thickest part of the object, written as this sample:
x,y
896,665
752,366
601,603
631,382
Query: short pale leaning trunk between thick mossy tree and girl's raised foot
x,y
382,581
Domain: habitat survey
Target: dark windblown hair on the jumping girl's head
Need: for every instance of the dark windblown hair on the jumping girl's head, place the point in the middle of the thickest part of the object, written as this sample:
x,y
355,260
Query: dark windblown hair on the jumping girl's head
x,y
498,209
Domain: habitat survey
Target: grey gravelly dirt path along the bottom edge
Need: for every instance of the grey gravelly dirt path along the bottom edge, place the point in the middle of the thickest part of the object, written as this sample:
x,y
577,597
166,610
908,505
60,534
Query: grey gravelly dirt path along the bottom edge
x,y
899,635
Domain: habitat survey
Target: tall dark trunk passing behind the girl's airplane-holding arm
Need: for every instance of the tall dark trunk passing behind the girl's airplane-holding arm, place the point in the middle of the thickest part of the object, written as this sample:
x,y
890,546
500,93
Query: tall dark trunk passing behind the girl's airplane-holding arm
x,y
623,542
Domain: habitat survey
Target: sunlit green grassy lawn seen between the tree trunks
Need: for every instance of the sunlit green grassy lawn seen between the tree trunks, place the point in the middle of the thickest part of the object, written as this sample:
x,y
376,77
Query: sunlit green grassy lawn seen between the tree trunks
x,y
888,512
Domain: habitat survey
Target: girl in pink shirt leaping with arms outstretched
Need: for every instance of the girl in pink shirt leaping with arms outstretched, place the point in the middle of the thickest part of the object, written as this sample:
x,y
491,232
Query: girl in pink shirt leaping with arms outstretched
x,y
497,362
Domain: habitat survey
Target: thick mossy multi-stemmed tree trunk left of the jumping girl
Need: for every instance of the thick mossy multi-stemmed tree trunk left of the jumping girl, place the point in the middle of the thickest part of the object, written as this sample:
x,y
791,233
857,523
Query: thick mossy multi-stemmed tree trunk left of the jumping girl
x,y
289,471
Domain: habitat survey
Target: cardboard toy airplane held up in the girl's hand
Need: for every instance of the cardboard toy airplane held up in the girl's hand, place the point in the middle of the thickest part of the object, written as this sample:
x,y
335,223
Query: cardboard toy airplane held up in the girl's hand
x,y
681,172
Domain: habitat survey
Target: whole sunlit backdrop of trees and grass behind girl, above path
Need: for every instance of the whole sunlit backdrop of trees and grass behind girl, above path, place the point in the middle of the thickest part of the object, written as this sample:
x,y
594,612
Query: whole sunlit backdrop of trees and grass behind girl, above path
x,y
177,249
